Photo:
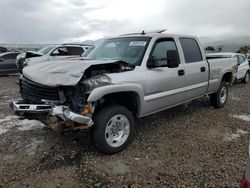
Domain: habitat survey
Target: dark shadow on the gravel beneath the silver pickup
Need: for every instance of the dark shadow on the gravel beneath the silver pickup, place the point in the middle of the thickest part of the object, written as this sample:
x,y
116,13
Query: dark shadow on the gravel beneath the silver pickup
x,y
81,142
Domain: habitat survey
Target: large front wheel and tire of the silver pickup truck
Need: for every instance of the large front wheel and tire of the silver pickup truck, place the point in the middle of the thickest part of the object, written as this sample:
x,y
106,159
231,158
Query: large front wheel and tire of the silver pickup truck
x,y
113,129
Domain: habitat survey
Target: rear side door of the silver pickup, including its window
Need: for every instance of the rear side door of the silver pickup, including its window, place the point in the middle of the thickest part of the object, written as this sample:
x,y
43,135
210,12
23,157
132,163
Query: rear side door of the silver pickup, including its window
x,y
196,68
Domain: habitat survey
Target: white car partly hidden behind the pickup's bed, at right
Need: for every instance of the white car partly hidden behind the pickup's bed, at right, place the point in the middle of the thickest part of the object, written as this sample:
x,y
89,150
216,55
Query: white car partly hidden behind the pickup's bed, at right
x,y
243,72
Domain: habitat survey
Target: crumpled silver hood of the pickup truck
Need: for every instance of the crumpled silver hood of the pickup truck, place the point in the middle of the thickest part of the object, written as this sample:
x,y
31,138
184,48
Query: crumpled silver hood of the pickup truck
x,y
60,73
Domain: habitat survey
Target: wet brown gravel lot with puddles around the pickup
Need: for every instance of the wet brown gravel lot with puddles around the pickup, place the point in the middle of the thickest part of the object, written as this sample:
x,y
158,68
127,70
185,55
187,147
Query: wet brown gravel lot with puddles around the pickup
x,y
190,145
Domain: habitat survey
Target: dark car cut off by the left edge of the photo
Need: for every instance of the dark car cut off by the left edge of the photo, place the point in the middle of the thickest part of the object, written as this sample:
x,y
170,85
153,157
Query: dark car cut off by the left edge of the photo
x,y
8,63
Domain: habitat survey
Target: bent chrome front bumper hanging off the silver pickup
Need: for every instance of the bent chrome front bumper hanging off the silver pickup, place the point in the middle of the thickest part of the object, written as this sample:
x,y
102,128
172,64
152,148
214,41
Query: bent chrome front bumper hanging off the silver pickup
x,y
60,111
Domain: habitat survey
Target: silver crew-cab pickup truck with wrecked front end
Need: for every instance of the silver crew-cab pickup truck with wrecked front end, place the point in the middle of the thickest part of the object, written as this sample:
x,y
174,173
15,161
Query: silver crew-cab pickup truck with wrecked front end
x,y
125,77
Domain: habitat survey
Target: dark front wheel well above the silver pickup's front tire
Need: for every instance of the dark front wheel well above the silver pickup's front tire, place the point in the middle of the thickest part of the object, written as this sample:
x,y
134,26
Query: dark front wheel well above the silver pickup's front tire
x,y
129,100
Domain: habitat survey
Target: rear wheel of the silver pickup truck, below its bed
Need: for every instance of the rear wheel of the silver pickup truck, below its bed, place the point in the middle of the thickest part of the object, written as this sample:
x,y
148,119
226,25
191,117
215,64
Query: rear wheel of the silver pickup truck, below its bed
x,y
219,99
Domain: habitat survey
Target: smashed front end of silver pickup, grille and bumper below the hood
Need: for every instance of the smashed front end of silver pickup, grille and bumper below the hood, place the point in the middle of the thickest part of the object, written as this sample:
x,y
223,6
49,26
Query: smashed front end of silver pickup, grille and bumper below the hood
x,y
66,105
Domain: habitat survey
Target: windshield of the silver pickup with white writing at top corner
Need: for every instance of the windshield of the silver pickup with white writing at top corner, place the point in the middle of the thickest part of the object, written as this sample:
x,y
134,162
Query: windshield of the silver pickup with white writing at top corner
x,y
128,49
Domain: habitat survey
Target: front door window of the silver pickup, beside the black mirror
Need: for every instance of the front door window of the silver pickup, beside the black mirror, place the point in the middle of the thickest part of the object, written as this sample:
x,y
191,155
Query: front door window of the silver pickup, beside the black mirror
x,y
160,50
